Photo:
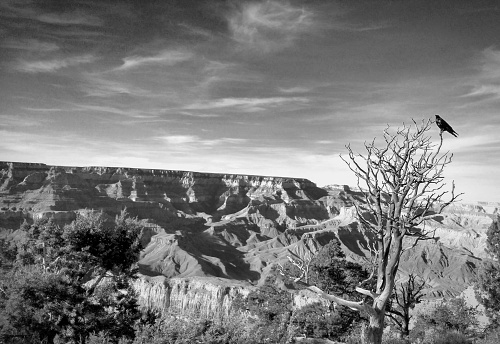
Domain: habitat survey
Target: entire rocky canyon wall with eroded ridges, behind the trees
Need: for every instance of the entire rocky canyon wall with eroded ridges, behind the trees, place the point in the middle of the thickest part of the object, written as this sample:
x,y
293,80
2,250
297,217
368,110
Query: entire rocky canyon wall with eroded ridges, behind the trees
x,y
233,227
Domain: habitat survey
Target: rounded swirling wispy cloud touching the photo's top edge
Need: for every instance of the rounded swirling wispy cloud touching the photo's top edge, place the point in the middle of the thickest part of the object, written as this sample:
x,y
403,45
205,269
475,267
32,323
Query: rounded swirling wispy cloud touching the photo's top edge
x,y
268,26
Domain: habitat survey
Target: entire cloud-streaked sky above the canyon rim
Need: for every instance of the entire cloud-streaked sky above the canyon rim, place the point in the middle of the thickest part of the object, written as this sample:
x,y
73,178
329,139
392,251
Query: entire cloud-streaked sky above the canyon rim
x,y
275,88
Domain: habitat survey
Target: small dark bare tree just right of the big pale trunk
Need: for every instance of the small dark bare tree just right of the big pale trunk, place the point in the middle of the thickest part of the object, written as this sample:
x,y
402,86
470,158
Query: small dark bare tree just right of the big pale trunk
x,y
405,298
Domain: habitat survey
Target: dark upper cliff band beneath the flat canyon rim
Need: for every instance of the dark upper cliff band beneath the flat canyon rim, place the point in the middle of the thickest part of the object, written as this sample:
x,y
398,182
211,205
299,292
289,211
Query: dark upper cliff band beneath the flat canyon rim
x,y
157,194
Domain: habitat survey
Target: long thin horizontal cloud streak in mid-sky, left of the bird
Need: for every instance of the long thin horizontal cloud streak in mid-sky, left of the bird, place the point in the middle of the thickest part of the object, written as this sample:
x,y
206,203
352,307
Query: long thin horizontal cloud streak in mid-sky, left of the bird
x,y
247,104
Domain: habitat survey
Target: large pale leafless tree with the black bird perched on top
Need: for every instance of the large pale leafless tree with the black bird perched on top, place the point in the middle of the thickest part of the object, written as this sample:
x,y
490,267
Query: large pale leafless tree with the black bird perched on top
x,y
402,187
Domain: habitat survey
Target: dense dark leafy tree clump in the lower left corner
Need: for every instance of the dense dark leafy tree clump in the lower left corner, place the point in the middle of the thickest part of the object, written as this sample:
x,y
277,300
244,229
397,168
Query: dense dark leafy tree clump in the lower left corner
x,y
70,282
